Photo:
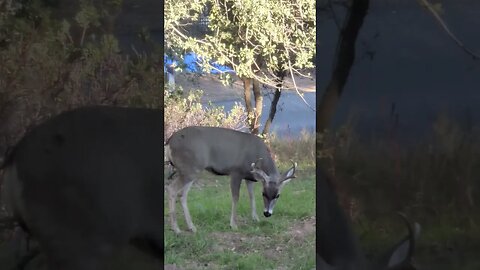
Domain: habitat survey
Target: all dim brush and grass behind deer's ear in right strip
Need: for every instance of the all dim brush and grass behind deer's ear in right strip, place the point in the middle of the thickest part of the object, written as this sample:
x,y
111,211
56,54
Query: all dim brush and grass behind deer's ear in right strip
x,y
433,180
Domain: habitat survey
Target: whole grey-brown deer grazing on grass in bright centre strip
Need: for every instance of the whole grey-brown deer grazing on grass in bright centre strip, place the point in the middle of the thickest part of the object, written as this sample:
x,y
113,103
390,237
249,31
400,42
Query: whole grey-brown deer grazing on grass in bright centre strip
x,y
222,151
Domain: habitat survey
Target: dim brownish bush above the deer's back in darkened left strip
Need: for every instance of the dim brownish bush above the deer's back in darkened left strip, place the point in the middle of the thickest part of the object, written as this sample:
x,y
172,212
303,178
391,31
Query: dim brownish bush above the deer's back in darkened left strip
x,y
44,71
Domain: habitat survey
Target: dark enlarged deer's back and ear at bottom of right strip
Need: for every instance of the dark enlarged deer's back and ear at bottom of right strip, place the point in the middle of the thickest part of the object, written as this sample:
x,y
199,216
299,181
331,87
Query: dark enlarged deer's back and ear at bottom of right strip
x,y
337,246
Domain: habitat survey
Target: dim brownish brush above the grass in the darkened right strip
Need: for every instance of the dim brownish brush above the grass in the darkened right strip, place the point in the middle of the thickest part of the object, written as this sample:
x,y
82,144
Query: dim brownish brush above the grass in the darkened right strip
x,y
435,178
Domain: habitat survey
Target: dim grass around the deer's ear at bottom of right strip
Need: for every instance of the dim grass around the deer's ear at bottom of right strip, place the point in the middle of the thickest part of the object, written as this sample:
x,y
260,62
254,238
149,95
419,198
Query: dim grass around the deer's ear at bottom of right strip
x,y
442,246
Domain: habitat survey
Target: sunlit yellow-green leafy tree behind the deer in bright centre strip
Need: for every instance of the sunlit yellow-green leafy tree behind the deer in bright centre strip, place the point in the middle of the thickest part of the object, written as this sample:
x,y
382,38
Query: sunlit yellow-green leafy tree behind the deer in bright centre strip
x,y
262,40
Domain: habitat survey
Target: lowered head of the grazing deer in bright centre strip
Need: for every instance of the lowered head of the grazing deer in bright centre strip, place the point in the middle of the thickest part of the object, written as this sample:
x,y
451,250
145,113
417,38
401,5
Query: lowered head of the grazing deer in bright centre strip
x,y
272,185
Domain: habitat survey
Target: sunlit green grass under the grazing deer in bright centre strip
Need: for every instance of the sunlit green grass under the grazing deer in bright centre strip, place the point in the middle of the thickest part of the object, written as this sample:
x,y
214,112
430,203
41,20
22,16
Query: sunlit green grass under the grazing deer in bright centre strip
x,y
286,240
